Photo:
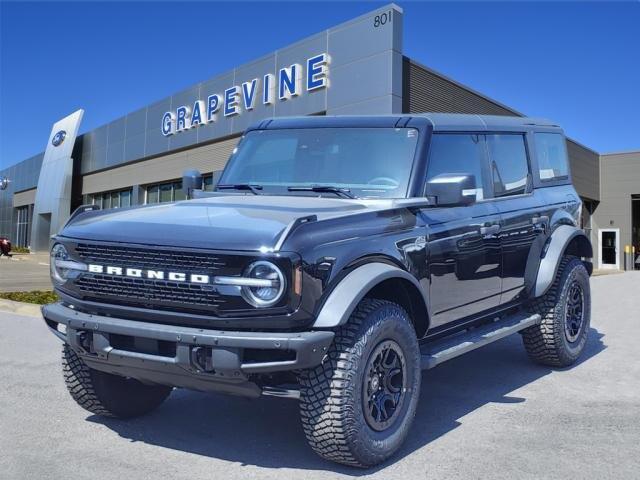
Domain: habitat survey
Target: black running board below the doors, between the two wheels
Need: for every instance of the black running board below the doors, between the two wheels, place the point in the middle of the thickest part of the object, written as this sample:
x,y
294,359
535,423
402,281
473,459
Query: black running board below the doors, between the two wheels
x,y
447,348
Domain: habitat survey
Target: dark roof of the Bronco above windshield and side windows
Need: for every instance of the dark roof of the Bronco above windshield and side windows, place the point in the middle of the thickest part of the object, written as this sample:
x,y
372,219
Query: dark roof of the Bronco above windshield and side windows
x,y
439,121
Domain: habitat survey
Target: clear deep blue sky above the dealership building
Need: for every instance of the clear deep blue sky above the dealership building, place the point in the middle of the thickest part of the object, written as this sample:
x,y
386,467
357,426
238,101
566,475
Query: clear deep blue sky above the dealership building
x,y
576,63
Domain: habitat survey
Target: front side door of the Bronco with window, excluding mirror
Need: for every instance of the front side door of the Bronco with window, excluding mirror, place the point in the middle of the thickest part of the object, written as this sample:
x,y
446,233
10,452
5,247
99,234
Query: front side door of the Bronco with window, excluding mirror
x,y
464,259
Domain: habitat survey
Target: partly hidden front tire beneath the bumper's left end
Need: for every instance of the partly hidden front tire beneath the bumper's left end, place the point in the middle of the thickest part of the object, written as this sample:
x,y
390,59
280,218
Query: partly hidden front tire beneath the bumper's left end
x,y
106,394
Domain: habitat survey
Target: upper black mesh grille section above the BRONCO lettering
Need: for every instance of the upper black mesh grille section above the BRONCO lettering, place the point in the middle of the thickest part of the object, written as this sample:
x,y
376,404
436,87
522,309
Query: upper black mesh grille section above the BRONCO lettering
x,y
135,257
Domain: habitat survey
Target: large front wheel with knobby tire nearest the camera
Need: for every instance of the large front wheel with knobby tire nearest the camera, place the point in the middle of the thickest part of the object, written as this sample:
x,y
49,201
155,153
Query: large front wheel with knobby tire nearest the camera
x,y
358,405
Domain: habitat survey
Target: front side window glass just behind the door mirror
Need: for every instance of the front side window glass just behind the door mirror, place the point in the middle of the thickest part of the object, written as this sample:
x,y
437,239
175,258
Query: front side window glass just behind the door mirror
x,y
457,153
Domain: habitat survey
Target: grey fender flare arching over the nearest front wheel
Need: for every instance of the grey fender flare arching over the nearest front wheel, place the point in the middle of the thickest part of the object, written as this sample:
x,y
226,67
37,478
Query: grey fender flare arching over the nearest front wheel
x,y
343,300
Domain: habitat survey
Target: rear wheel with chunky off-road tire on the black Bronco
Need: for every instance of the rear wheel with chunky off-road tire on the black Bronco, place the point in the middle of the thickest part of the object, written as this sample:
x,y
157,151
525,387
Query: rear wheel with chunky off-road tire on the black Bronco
x,y
565,309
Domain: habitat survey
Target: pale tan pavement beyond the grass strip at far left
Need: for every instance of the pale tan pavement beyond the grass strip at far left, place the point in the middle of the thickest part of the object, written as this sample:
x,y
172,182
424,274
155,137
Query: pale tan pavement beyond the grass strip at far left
x,y
24,272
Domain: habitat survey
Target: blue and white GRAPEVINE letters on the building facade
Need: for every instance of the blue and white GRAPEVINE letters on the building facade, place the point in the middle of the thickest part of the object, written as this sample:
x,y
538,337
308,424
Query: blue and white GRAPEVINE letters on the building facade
x,y
285,84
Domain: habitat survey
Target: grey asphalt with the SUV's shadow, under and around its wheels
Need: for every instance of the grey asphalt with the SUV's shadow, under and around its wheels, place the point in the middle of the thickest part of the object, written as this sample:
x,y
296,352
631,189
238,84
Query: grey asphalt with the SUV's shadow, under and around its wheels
x,y
489,414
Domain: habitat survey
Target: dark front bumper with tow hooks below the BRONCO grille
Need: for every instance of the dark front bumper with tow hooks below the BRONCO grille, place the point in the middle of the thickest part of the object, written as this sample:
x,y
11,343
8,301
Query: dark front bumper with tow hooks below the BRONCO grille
x,y
196,358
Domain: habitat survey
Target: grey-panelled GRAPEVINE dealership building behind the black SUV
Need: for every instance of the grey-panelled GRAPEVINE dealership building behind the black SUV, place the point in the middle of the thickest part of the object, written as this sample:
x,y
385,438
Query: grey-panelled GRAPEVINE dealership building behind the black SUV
x,y
357,67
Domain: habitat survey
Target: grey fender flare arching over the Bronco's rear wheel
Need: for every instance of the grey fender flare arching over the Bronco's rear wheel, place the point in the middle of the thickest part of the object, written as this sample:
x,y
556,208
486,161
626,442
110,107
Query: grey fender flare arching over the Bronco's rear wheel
x,y
557,245
